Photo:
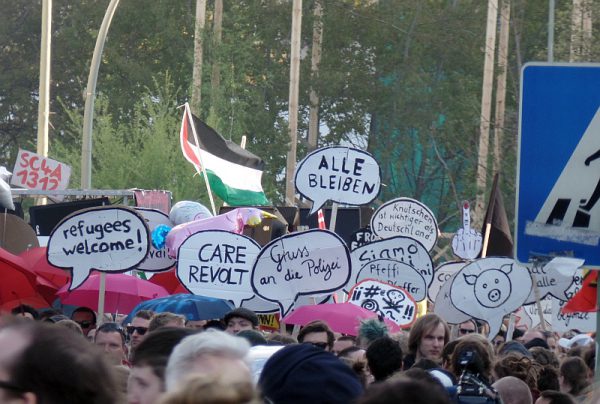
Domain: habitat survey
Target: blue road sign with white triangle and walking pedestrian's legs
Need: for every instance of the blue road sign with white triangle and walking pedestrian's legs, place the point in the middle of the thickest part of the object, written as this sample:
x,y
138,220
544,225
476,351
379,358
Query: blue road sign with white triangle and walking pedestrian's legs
x,y
558,175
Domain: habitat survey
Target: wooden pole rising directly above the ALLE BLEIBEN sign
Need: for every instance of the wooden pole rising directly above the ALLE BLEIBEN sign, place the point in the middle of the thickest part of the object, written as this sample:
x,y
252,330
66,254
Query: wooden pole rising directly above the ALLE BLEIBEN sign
x,y
313,117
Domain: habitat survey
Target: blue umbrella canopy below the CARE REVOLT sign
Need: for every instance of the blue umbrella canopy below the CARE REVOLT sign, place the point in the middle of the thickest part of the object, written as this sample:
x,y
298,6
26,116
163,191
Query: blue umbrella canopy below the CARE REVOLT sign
x,y
193,307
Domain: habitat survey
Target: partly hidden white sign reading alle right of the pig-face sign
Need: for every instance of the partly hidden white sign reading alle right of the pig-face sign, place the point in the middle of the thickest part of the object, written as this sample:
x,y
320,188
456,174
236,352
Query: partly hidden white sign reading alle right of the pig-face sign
x,y
554,278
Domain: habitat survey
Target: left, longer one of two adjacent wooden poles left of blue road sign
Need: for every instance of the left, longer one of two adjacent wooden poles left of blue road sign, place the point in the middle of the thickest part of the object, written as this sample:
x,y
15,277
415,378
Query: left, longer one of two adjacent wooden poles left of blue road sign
x,y
486,106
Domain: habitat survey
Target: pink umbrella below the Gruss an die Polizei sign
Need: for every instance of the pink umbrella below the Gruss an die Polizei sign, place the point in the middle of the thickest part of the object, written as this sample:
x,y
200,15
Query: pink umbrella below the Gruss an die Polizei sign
x,y
341,317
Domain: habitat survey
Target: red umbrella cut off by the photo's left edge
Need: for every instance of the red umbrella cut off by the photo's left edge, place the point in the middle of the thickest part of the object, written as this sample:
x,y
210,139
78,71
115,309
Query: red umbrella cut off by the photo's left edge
x,y
17,284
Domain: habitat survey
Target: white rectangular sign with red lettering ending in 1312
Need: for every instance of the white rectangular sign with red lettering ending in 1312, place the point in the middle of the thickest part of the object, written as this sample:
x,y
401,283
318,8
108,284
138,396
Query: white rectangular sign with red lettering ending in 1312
x,y
33,171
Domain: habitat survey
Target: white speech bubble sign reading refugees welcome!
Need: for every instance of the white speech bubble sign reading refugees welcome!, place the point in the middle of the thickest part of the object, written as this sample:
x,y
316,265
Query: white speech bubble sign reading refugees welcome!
x,y
108,239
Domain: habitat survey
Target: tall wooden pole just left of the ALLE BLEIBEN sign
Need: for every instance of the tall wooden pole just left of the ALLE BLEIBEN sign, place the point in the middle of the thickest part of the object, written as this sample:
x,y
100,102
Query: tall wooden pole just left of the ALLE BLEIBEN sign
x,y
293,100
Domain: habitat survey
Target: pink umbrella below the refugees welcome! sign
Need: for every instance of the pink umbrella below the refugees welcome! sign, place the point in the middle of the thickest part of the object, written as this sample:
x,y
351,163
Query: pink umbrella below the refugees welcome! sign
x,y
123,293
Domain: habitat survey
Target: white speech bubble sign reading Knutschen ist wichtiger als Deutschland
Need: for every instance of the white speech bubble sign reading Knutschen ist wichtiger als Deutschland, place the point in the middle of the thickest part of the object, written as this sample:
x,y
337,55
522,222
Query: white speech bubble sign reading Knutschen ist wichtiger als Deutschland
x,y
406,217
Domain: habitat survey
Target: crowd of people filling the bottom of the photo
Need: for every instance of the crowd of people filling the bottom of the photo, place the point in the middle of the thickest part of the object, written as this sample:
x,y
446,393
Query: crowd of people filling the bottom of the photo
x,y
48,357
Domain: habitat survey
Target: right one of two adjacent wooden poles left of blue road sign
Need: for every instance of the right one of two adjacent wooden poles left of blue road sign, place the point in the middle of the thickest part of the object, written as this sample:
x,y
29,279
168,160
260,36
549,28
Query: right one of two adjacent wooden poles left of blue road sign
x,y
501,83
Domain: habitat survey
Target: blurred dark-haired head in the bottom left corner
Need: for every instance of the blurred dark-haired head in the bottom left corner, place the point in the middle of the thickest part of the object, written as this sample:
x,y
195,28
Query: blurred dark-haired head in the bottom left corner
x,y
42,363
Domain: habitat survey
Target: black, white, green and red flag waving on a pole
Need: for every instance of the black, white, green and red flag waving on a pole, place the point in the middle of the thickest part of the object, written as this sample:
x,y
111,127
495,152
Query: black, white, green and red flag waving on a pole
x,y
234,173
